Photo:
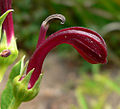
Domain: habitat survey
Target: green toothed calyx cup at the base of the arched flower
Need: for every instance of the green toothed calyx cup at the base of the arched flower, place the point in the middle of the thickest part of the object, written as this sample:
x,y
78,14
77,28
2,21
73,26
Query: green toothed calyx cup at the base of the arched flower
x,y
20,88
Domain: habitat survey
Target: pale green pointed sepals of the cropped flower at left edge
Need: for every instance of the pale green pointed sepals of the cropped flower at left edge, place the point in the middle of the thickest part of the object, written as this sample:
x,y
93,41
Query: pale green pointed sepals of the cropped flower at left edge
x,y
6,61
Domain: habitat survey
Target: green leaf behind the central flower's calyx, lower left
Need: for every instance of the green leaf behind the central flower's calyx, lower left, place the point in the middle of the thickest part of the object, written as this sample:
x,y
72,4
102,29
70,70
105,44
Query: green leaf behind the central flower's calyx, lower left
x,y
7,95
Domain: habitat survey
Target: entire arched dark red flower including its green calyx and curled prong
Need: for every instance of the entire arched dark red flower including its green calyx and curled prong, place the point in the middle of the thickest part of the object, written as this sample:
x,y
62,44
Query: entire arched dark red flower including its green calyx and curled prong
x,y
88,43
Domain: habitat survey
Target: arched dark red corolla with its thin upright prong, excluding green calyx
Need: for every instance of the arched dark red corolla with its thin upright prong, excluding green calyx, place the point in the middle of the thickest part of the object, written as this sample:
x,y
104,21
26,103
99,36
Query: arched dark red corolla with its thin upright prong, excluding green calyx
x,y
88,43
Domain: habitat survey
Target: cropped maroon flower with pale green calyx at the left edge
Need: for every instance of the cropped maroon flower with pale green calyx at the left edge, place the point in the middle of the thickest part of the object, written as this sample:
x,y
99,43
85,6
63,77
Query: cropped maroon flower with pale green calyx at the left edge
x,y
8,48
